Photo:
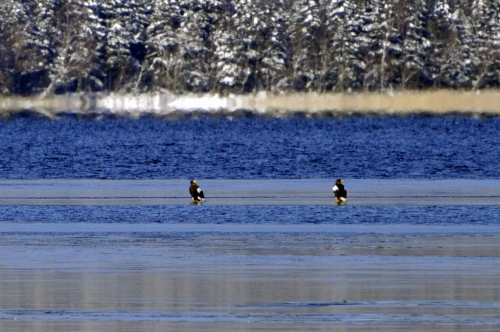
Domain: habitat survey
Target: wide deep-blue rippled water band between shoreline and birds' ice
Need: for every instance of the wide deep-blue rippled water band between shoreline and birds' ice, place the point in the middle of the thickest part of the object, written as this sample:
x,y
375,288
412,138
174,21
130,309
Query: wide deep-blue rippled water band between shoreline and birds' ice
x,y
419,146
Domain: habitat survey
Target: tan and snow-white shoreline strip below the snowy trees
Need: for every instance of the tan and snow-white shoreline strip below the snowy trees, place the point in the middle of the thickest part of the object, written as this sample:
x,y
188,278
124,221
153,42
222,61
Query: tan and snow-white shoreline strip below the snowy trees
x,y
437,102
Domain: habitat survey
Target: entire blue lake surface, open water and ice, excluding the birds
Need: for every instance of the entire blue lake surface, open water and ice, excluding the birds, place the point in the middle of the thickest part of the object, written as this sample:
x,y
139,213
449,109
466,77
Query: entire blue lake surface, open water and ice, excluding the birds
x,y
98,232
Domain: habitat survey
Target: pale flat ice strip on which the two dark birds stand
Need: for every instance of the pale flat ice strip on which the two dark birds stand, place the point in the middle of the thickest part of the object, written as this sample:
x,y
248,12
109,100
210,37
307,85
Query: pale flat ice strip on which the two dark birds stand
x,y
303,192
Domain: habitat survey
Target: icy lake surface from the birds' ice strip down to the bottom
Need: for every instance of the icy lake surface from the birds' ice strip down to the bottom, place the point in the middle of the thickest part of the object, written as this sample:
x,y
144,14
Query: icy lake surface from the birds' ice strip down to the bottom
x,y
259,255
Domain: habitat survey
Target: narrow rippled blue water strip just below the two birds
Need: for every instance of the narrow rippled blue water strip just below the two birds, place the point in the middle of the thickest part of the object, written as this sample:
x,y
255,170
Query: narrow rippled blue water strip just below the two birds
x,y
278,215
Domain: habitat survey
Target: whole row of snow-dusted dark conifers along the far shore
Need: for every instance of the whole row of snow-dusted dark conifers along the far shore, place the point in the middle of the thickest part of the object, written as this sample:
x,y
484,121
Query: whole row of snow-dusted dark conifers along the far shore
x,y
243,46
